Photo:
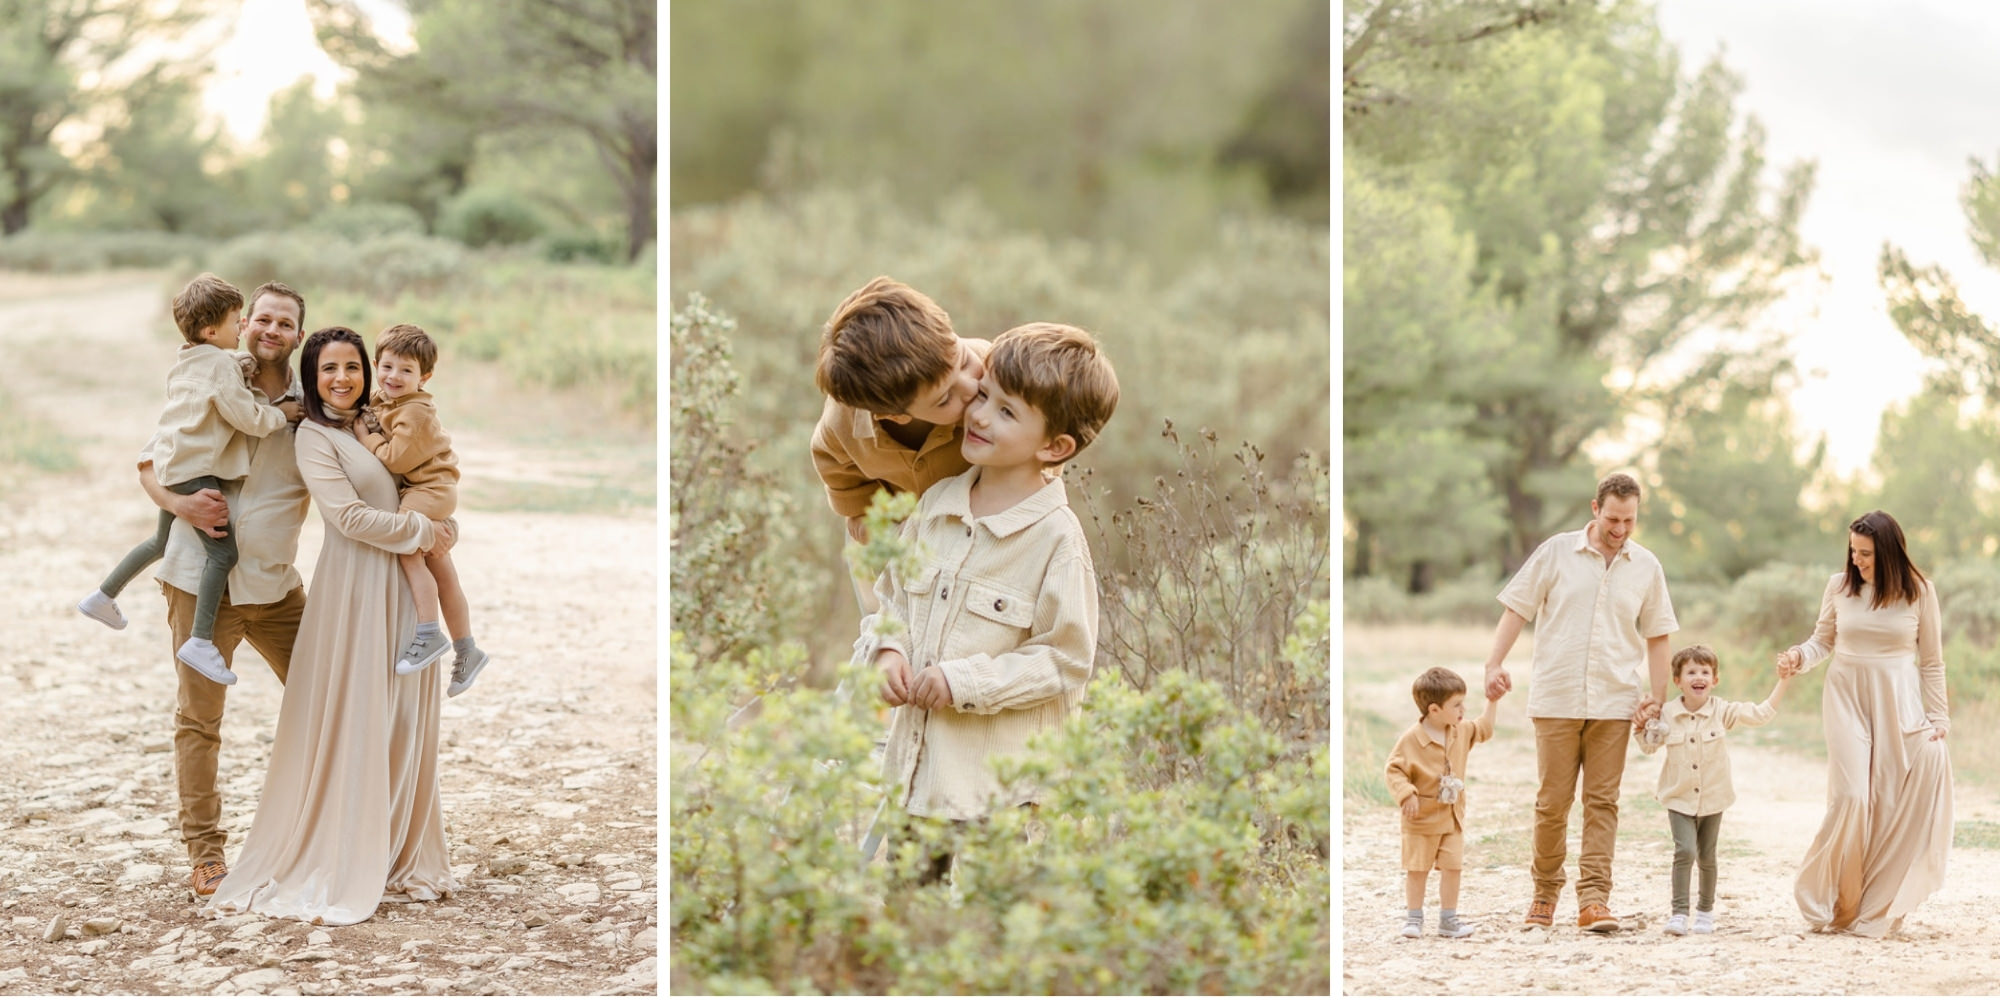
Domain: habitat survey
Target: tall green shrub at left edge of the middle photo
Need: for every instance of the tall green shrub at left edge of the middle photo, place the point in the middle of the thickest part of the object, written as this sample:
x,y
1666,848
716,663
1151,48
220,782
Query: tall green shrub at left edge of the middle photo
x,y
733,535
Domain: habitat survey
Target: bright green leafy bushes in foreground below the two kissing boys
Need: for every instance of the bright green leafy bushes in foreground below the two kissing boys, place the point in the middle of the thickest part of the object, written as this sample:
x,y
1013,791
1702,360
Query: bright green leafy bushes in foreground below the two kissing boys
x,y
1179,849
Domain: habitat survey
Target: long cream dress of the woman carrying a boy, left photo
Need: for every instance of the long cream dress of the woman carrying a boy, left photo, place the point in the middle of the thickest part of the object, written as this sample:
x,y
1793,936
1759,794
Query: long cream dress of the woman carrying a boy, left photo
x,y
351,811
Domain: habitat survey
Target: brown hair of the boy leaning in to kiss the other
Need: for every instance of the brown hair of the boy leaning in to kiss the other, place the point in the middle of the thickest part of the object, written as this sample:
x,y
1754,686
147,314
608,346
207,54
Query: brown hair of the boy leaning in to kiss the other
x,y
883,345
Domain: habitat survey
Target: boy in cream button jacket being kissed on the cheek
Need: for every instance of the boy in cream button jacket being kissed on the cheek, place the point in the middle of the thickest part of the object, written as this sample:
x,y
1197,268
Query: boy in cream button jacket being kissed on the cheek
x,y
999,627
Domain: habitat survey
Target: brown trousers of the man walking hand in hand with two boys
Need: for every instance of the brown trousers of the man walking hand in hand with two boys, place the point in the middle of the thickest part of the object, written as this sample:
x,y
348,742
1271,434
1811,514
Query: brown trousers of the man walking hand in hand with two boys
x,y
1565,749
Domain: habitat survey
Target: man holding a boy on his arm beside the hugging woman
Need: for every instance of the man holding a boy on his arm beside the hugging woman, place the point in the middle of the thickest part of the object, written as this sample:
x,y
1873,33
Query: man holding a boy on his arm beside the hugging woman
x,y
265,593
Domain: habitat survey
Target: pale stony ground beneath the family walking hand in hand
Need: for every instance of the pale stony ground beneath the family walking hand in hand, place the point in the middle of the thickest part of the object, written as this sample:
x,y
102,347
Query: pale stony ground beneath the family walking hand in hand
x,y
1761,945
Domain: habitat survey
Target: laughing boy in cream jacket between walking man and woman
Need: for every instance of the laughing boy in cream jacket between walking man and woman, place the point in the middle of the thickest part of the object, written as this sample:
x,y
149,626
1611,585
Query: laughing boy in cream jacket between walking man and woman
x,y
1695,779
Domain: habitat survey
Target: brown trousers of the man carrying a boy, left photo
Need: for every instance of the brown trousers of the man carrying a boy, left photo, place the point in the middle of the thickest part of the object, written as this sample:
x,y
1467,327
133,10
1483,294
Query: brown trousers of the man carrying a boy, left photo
x,y
269,629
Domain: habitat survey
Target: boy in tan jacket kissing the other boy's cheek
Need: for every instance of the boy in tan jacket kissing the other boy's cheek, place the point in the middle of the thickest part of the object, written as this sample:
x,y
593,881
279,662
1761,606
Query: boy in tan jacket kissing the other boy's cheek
x,y
897,383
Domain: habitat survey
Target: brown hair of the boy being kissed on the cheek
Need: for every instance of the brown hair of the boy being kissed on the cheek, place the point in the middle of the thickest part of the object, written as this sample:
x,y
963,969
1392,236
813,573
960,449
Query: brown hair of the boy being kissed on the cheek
x,y
1061,373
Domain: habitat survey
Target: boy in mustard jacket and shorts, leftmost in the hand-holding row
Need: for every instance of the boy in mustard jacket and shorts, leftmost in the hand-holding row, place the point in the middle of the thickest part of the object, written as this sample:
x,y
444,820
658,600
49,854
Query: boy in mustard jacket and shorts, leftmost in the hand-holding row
x,y
1427,775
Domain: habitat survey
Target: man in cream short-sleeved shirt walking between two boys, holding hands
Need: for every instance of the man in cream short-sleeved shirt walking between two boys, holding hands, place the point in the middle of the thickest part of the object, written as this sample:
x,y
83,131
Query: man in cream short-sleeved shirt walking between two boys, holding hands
x,y
1603,613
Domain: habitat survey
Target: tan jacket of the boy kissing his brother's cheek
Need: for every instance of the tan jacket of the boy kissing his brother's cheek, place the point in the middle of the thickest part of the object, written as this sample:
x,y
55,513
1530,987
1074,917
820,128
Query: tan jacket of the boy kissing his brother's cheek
x,y
855,455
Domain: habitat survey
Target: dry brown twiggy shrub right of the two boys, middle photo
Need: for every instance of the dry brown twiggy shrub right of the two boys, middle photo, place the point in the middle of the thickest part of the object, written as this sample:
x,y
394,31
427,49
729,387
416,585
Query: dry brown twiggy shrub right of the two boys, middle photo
x,y
1215,575
